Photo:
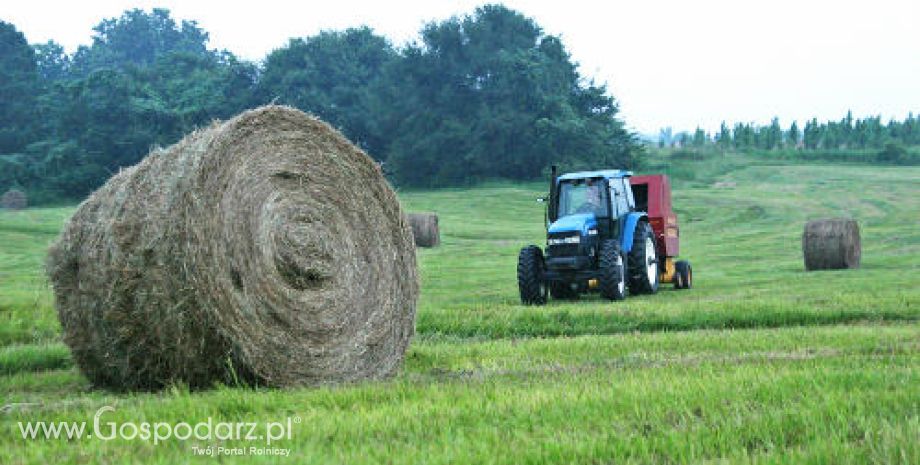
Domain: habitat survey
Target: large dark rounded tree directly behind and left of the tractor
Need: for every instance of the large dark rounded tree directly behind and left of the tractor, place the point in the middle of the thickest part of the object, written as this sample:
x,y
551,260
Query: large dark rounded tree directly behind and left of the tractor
x,y
490,95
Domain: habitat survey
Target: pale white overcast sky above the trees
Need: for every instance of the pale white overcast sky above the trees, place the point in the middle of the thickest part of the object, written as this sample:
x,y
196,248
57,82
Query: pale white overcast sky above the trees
x,y
669,63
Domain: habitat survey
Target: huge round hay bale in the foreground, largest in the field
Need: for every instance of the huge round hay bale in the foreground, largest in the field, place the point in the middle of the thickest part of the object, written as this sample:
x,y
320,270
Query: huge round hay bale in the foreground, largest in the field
x,y
266,249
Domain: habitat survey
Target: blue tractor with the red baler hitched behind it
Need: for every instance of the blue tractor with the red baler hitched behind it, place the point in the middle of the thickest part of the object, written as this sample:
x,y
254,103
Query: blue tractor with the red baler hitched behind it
x,y
599,238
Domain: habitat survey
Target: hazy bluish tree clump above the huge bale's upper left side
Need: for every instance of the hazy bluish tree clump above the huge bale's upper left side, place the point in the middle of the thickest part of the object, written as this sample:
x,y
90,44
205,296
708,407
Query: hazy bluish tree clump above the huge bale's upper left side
x,y
145,81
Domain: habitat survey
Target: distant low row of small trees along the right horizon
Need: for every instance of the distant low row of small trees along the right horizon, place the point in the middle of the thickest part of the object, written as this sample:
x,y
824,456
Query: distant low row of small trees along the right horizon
x,y
848,133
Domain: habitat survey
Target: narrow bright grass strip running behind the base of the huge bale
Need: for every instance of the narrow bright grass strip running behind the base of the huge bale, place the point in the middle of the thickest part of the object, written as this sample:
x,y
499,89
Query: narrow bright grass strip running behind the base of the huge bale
x,y
439,354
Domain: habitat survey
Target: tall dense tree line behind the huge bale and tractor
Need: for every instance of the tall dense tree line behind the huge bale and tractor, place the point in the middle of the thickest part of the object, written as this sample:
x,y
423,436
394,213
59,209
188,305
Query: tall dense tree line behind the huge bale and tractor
x,y
483,96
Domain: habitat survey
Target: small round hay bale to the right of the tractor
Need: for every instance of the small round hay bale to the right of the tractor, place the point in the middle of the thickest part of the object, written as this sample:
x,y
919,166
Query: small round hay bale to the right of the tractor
x,y
831,244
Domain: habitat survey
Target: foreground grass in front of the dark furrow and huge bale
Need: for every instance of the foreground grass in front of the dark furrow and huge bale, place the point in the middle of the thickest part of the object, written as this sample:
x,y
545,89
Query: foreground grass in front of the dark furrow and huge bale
x,y
840,394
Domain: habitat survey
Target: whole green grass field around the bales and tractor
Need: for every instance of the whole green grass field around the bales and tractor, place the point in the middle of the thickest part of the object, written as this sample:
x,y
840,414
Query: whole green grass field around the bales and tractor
x,y
760,363
